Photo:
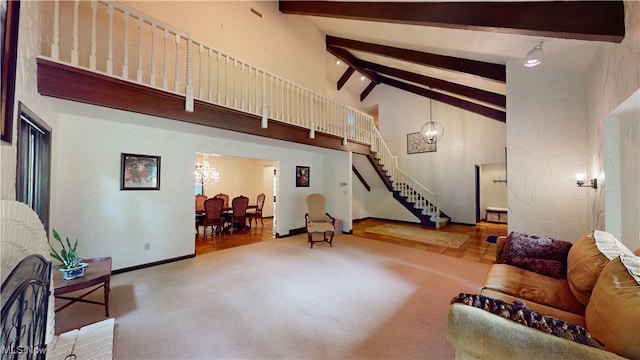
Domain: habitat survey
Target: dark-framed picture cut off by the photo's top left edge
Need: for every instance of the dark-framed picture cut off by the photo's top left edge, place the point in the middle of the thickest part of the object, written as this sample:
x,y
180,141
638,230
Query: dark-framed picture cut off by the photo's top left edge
x,y
9,15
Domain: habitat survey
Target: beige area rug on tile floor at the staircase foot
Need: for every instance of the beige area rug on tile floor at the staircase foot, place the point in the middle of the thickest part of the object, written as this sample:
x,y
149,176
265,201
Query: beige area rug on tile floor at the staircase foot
x,y
414,233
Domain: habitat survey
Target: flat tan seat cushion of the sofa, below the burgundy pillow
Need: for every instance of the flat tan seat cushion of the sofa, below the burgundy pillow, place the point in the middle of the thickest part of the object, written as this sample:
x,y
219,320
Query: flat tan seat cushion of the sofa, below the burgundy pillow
x,y
531,286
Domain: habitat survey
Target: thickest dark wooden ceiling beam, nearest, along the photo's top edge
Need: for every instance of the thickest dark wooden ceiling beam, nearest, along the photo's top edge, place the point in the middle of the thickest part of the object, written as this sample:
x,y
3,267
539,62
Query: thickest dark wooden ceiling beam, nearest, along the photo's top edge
x,y
581,20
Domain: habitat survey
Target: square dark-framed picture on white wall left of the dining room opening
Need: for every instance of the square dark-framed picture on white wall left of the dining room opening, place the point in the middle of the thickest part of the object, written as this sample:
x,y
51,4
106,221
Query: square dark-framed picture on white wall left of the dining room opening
x,y
140,172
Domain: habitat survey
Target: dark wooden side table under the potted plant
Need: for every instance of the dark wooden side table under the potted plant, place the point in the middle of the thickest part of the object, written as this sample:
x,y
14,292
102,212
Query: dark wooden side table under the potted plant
x,y
97,275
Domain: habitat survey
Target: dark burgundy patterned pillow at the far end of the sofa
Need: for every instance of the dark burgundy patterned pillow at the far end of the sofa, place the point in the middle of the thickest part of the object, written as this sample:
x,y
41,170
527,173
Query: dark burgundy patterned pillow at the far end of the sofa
x,y
543,255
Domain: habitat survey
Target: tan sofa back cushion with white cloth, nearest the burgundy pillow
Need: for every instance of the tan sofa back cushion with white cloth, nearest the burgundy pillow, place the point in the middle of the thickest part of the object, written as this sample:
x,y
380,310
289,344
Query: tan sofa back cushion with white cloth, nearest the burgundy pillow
x,y
586,260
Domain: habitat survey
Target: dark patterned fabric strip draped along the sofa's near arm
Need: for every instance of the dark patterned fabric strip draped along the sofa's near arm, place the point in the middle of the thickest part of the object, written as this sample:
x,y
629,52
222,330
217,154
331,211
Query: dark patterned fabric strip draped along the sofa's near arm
x,y
518,312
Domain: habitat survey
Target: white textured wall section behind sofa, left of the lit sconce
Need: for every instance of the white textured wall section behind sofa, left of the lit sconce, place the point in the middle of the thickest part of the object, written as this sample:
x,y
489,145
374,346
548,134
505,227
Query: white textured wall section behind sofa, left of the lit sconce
x,y
546,140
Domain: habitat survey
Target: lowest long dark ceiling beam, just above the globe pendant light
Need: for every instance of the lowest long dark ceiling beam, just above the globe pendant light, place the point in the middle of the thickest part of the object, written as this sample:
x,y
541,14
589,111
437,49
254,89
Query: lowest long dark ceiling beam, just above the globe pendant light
x,y
453,101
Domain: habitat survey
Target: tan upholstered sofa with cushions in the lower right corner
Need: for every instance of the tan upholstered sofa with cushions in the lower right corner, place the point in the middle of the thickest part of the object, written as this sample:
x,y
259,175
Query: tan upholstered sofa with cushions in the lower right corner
x,y
552,299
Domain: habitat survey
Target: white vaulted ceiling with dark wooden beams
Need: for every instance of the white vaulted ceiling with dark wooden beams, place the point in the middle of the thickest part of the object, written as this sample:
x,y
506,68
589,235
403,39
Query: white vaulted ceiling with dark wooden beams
x,y
456,52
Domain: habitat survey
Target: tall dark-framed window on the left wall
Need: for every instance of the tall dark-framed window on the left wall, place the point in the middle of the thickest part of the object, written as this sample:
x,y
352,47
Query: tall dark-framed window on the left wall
x,y
34,164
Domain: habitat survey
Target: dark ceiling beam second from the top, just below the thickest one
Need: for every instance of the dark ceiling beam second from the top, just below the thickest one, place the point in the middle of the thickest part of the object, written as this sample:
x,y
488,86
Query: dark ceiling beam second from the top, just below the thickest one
x,y
479,68
